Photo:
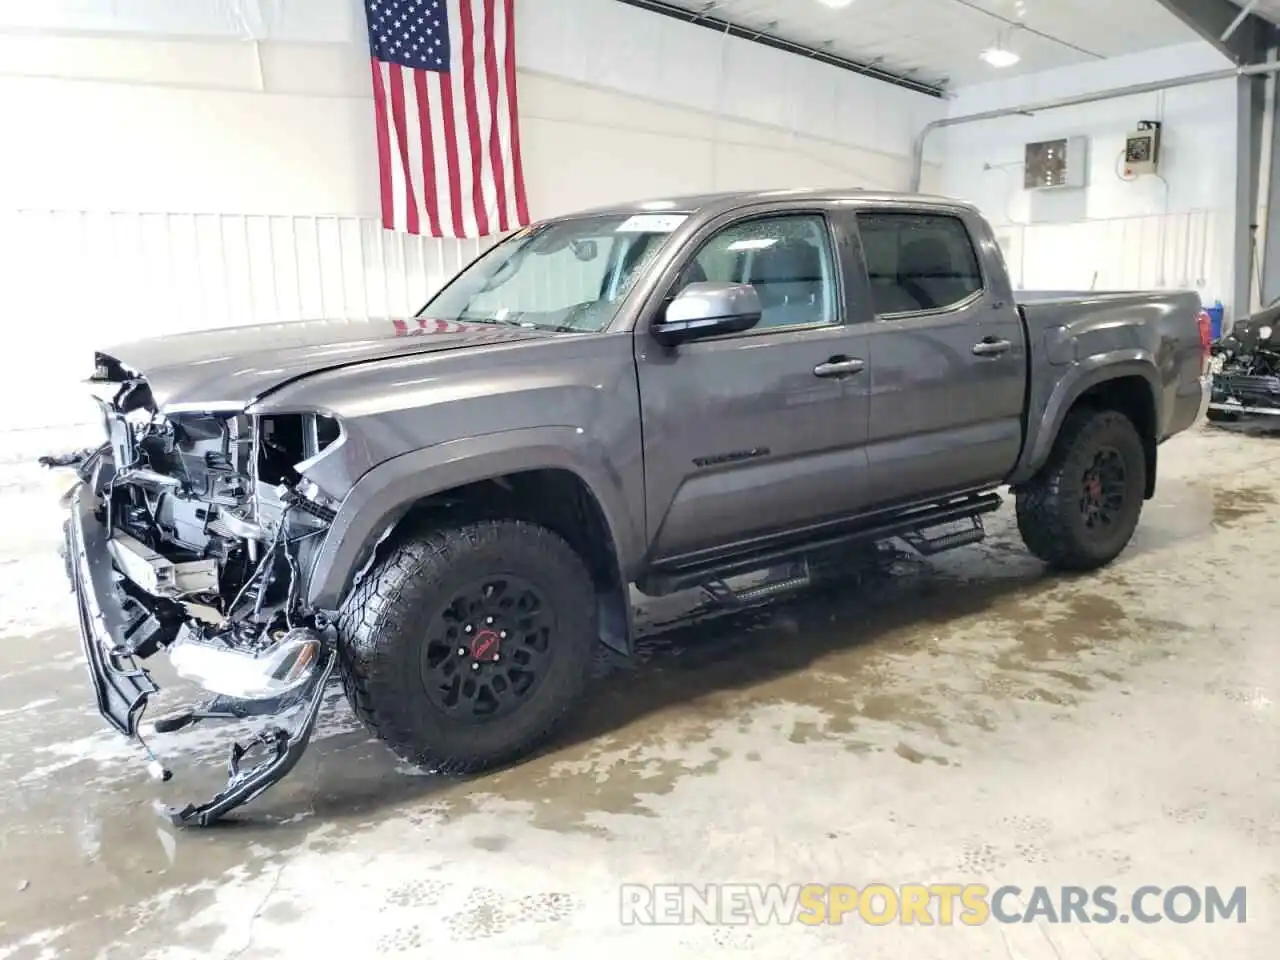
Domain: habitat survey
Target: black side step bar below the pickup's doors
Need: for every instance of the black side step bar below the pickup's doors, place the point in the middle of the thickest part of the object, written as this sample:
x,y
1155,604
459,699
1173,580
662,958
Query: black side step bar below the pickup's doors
x,y
912,527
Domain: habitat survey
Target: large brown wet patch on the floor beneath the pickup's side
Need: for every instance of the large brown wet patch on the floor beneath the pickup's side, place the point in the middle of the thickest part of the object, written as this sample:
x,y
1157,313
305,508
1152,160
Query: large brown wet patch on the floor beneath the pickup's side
x,y
839,657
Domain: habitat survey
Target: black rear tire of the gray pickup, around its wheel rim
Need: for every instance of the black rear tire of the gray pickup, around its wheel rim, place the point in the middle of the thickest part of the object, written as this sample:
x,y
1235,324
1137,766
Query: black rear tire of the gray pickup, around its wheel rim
x,y
1050,519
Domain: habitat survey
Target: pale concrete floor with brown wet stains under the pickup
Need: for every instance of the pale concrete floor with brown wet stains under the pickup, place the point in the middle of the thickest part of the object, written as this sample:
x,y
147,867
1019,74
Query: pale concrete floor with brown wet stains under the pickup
x,y
972,720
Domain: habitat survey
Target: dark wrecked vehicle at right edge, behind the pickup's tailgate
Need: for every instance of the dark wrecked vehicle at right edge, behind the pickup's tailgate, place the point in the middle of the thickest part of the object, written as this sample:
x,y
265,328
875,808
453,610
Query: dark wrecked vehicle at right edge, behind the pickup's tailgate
x,y
1246,367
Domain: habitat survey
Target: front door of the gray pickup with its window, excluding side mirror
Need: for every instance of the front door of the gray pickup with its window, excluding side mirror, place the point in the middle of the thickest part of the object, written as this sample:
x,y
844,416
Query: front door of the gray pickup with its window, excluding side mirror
x,y
749,435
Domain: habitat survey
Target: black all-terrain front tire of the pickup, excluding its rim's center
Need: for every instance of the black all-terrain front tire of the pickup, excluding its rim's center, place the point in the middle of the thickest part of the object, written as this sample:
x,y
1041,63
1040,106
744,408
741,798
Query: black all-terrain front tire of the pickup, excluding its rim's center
x,y
383,634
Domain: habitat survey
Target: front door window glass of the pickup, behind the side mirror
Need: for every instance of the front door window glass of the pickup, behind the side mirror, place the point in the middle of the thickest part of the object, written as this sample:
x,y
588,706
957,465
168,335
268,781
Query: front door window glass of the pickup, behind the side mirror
x,y
789,262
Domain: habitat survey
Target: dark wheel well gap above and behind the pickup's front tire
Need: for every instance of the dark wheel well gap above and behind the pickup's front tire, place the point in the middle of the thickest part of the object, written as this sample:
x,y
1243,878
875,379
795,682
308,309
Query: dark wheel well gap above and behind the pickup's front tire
x,y
560,501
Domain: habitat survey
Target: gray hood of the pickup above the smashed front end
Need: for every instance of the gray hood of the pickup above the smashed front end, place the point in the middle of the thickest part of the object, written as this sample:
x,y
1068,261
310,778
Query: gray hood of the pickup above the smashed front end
x,y
231,368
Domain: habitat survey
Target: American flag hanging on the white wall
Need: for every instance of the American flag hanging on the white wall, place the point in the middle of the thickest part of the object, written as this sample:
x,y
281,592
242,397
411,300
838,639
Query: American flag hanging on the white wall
x,y
445,99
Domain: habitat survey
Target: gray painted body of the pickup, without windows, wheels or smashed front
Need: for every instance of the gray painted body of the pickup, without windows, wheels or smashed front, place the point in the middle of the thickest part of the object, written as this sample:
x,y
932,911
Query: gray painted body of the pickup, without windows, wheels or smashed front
x,y
712,446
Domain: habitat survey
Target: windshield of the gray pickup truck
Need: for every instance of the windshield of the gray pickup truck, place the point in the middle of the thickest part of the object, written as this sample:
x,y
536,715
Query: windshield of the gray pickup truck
x,y
568,276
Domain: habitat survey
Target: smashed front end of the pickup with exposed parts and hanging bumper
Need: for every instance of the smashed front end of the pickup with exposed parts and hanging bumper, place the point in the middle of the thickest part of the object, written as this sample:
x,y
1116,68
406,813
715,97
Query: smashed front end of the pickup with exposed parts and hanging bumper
x,y
190,536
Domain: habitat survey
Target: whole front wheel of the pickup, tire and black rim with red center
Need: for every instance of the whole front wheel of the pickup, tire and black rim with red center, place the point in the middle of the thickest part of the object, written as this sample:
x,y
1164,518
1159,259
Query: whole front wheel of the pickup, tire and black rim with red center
x,y
469,647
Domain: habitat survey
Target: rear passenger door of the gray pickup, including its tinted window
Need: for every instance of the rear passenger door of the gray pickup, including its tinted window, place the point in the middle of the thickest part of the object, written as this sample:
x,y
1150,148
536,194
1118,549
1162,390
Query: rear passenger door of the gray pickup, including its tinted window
x,y
948,358
